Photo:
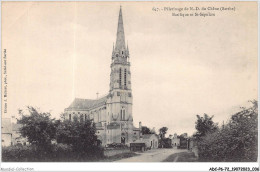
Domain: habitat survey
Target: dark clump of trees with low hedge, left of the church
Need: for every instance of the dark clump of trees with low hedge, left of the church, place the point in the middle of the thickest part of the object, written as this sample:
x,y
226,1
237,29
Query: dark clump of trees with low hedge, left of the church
x,y
77,140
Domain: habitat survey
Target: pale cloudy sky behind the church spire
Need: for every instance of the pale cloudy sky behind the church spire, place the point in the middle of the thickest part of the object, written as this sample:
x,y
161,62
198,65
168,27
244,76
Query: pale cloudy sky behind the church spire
x,y
180,66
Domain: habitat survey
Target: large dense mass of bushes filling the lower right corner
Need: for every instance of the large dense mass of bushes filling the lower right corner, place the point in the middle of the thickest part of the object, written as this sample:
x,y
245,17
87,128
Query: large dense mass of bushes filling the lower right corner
x,y
234,142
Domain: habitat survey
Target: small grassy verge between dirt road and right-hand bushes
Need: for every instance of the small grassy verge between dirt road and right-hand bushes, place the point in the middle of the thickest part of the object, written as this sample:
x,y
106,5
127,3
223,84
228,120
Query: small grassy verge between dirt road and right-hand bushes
x,y
182,157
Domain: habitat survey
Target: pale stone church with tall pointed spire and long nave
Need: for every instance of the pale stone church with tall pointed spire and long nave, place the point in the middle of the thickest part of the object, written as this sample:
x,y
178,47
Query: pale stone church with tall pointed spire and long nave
x,y
112,113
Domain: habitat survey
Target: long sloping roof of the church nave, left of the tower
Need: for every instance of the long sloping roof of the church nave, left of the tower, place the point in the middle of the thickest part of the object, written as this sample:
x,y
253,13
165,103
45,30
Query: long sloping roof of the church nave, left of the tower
x,y
79,104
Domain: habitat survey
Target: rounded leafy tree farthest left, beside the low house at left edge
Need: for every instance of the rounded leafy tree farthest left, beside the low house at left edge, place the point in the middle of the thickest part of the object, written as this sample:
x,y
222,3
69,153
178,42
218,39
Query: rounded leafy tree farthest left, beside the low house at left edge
x,y
38,128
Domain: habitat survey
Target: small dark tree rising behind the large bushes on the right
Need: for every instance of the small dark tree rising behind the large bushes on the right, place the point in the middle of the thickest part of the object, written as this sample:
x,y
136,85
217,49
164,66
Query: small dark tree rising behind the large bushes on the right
x,y
204,125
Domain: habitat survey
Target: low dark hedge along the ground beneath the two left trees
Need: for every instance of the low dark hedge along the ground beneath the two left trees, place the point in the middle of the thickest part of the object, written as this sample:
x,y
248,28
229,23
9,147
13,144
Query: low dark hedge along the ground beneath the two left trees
x,y
56,153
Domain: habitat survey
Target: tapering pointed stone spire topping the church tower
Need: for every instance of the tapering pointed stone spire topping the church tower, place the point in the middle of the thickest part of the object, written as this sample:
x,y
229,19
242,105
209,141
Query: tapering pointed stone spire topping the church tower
x,y
120,36
